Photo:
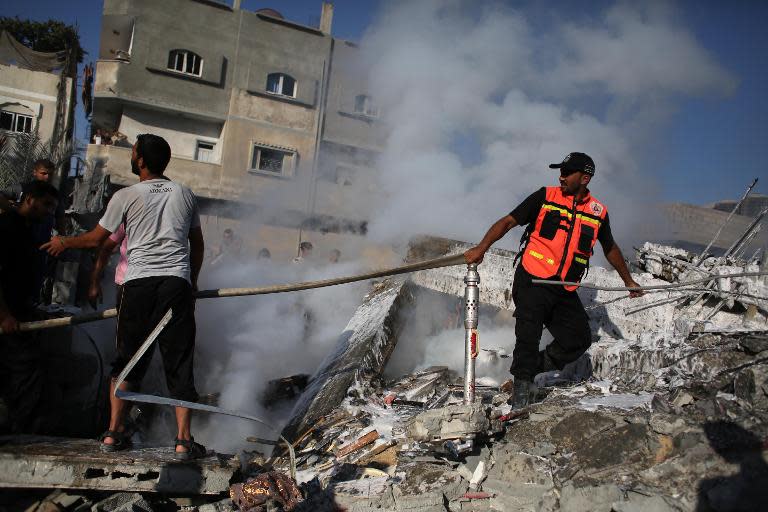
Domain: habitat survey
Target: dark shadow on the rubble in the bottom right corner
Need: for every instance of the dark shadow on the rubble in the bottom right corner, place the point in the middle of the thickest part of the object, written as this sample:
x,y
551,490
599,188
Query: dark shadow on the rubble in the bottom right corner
x,y
749,486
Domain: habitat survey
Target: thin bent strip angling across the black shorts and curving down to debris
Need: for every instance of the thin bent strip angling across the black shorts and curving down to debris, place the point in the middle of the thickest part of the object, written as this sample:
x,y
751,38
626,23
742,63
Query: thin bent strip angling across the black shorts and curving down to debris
x,y
161,400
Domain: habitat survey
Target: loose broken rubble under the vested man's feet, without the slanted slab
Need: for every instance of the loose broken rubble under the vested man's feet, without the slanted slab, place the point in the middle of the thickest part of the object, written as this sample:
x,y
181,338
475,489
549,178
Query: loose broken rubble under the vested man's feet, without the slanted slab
x,y
664,413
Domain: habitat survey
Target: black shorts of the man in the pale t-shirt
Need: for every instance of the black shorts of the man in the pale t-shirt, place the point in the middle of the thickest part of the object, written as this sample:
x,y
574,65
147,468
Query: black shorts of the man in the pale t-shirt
x,y
144,302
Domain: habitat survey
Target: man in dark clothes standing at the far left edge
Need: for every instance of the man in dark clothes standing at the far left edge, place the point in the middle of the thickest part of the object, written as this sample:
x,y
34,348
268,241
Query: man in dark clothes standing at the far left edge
x,y
21,380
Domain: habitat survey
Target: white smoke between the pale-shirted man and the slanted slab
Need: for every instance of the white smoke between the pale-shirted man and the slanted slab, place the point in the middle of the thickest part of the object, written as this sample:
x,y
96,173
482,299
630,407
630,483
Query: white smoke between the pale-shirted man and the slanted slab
x,y
244,342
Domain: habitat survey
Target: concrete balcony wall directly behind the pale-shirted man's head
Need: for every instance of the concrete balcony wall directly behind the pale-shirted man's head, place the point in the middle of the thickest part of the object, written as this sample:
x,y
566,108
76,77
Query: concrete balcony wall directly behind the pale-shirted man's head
x,y
202,177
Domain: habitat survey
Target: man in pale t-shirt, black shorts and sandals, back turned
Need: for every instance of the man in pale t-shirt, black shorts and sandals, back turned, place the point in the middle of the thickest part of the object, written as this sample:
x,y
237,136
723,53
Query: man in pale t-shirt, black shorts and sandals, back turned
x,y
165,253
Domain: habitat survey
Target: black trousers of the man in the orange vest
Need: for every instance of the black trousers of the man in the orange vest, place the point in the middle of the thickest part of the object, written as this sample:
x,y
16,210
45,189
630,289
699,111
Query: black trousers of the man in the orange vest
x,y
553,307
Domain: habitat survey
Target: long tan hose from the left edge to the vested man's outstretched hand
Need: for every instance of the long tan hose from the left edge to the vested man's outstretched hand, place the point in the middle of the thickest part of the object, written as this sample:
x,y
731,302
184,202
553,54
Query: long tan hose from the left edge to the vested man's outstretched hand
x,y
445,261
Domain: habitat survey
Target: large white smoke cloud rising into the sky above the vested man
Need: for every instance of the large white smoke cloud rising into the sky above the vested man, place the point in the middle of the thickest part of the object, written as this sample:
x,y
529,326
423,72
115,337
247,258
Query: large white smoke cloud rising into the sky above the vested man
x,y
450,72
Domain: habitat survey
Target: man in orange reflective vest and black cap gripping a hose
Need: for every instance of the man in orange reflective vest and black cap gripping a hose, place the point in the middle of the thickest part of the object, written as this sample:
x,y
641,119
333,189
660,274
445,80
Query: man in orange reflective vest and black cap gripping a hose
x,y
564,223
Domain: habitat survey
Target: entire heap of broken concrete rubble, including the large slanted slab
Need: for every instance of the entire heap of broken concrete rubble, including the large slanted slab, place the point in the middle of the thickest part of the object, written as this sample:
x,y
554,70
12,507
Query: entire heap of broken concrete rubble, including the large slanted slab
x,y
667,411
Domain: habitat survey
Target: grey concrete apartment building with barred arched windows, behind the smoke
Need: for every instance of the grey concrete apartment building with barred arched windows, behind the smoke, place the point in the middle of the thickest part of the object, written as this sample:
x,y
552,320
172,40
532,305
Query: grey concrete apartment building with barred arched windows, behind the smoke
x,y
265,118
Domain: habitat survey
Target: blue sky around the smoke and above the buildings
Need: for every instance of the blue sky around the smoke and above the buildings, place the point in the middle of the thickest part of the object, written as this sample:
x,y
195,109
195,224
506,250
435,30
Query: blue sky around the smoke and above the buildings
x,y
699,146
